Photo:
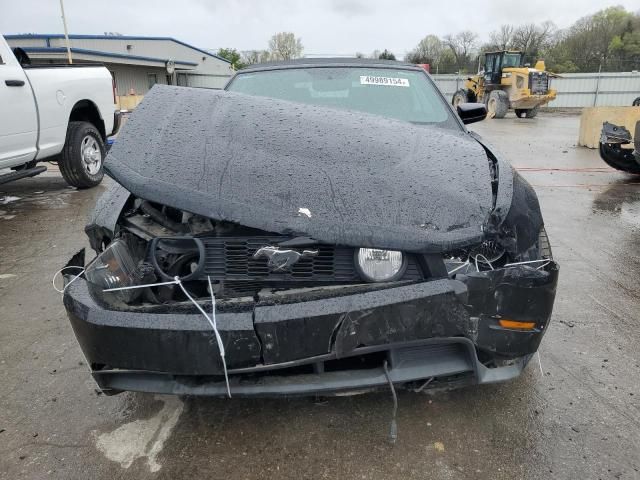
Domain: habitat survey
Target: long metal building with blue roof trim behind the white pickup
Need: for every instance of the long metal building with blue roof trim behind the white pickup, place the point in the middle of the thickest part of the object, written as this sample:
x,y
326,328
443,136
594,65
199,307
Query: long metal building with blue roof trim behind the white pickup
x,y
136,63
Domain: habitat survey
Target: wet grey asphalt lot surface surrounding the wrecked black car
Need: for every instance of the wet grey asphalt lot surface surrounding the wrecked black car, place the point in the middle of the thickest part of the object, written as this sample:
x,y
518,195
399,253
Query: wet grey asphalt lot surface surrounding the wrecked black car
x,y
573,415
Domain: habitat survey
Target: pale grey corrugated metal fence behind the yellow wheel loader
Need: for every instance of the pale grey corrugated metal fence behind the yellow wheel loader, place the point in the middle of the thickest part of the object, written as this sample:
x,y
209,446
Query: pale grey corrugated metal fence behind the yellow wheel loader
x,y
574,89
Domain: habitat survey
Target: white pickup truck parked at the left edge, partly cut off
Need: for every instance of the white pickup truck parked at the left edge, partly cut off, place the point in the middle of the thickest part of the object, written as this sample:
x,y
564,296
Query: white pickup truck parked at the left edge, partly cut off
x,y
61,113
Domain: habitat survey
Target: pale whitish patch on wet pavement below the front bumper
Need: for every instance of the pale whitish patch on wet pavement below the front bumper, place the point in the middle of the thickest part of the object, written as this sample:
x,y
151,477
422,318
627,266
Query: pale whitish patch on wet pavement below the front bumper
x,y
142,438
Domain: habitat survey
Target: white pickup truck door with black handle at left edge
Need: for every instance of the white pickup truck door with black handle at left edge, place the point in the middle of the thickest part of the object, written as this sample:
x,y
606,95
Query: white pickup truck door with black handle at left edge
x,y
18,115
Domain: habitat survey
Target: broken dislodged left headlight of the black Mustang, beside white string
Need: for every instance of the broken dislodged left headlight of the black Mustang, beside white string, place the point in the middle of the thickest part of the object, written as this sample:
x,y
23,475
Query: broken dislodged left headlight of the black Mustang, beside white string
x,y
113,268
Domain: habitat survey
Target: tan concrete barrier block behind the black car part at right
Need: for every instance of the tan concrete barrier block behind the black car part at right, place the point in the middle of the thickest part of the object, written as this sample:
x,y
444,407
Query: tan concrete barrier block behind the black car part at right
x,y
592,119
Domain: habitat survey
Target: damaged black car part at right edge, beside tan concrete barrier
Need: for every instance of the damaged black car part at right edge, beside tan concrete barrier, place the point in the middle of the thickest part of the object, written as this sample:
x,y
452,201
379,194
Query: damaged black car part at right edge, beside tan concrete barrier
x,y
612,139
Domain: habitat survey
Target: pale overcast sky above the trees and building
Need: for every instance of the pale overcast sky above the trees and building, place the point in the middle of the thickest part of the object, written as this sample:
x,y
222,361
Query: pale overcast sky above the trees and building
x,y
325,26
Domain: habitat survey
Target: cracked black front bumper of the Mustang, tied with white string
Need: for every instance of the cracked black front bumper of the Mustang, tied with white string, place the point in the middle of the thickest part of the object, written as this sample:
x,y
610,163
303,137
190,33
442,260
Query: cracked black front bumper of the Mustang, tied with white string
x,y
442,328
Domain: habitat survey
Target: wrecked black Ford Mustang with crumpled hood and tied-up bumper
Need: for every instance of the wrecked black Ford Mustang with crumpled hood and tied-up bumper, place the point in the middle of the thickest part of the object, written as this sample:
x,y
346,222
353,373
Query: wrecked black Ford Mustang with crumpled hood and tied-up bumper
x,y
350,228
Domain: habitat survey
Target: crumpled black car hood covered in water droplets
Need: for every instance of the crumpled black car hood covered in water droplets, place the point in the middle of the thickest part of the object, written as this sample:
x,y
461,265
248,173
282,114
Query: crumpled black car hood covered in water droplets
x,y
336,176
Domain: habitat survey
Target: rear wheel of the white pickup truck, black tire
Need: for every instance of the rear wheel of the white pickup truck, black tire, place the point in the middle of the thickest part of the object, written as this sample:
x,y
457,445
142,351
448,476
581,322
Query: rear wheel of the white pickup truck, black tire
x,y
82,156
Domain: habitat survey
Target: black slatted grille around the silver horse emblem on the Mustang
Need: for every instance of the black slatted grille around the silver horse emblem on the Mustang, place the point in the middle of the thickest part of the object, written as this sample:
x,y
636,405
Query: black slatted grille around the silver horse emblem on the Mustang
x,y
230,259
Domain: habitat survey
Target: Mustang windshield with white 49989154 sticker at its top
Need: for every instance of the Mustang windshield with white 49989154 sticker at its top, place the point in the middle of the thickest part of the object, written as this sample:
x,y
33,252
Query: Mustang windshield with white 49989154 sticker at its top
x,y
405,95
